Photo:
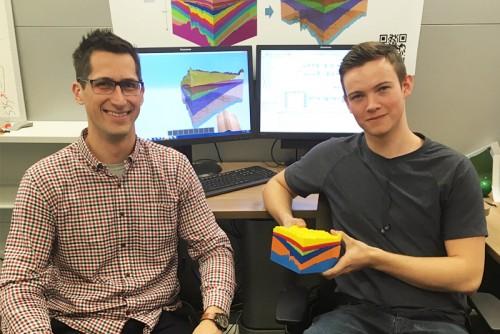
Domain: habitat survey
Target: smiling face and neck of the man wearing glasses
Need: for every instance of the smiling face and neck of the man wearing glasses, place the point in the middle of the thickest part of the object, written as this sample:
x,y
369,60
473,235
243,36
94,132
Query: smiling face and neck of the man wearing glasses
x,y
110,117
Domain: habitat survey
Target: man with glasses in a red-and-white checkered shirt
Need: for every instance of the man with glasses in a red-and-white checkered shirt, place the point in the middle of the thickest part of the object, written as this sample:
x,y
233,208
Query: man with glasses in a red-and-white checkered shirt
x,y
95,228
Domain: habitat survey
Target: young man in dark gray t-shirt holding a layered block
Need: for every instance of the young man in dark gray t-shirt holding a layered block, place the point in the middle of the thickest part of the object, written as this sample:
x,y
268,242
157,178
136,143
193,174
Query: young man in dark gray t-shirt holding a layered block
x,y
410,210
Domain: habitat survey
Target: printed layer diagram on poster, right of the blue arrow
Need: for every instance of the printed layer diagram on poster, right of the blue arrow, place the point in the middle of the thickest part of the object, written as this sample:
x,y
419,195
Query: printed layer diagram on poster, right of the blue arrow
x,y
325,19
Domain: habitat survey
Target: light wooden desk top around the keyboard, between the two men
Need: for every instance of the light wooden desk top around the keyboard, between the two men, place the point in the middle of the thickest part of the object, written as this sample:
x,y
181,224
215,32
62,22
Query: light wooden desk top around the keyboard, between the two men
x,y
248,204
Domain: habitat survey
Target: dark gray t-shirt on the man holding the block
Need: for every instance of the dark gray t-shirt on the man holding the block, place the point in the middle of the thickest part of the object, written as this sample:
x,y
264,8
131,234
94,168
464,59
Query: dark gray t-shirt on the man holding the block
x,y
406,205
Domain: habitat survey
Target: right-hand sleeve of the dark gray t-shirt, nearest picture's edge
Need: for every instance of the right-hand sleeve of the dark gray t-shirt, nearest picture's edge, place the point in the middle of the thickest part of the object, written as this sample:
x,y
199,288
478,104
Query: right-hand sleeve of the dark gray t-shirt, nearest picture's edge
x,y
463,210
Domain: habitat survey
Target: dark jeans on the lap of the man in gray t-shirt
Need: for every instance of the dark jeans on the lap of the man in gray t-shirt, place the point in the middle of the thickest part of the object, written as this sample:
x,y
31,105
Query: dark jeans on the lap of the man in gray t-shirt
x,y
370,319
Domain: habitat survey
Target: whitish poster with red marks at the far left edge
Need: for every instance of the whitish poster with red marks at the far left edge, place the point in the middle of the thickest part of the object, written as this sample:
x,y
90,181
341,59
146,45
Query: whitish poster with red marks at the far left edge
x,y
11,94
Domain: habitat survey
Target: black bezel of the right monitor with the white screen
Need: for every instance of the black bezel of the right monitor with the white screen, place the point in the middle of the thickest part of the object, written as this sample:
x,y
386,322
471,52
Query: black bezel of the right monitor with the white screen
x,y
308,136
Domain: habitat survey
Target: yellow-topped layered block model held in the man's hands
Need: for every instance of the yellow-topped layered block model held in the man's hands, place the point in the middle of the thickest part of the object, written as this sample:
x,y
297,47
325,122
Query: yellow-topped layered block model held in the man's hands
x,y
303,250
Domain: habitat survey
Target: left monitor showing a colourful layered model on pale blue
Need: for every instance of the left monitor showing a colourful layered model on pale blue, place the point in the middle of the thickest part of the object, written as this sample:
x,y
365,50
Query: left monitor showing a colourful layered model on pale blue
x,y
195,94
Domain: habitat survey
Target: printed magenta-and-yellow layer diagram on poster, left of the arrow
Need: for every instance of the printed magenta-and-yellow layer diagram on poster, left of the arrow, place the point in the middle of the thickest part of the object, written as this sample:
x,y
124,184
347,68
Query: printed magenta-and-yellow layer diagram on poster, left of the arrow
x,y
214,22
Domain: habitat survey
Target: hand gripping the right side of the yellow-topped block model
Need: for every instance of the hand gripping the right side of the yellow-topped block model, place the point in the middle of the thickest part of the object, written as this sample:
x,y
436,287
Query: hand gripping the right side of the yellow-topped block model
x,y
356,256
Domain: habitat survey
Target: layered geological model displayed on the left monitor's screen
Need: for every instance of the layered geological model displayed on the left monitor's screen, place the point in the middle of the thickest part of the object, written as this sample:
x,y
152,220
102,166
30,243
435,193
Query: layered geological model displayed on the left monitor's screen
x,y
208,93
